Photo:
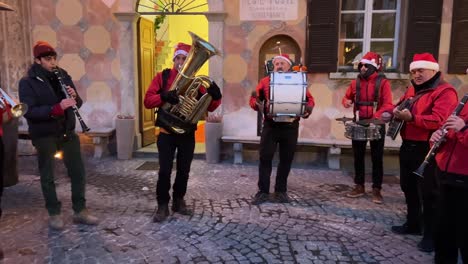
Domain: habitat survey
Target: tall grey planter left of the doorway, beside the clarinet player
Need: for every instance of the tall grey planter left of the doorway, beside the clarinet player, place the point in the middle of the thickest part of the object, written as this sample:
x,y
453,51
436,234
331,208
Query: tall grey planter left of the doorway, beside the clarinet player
x,y
125,133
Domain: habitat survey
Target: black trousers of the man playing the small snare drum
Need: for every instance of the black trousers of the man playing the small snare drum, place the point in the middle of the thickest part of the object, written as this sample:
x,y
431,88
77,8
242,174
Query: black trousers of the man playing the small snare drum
x,y
359,151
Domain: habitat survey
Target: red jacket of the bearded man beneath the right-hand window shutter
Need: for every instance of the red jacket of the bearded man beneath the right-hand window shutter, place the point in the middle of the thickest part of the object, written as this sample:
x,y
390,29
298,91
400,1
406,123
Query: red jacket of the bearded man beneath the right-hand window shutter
x,y
429,111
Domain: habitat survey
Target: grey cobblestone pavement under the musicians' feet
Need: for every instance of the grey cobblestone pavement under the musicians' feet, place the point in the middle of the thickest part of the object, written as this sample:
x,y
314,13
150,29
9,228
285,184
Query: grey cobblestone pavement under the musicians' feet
x,y
320,225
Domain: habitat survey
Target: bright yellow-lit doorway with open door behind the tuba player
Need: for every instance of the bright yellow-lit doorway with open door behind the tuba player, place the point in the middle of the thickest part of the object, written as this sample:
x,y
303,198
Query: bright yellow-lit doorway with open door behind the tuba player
x,y
162,24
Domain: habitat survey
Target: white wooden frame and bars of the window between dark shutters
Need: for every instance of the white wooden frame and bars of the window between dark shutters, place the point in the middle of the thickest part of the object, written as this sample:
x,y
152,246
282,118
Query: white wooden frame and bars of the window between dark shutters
x,y
366,40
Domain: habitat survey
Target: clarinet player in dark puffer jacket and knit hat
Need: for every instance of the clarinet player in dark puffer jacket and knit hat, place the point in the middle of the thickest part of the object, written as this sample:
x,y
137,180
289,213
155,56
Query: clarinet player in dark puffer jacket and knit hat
x,y
51,120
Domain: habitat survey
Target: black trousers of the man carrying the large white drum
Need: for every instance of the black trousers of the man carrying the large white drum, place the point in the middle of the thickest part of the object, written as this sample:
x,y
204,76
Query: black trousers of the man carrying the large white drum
x,y
285,135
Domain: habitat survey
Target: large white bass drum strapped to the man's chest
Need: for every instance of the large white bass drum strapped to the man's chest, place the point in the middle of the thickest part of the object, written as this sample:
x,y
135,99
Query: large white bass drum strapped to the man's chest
x,y
287,94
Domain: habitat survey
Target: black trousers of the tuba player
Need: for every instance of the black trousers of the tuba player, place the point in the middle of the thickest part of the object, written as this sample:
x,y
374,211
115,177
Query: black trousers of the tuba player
x,y
167,145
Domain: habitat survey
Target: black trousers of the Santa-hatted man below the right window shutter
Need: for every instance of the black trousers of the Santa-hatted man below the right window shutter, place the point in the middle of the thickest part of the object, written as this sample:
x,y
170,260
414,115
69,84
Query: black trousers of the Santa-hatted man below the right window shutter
x,y
420,193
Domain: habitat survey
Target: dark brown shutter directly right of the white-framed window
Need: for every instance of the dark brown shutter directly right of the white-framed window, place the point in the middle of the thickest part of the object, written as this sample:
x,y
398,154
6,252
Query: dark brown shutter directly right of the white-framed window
x,y
423,31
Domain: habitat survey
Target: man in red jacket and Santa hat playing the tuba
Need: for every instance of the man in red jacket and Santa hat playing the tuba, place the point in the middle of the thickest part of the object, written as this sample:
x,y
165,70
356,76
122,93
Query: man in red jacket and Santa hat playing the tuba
x,y
168,142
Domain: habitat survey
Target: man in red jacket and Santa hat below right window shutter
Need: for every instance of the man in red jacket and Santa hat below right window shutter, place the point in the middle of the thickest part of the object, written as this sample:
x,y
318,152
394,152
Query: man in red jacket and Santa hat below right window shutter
x,y
433,100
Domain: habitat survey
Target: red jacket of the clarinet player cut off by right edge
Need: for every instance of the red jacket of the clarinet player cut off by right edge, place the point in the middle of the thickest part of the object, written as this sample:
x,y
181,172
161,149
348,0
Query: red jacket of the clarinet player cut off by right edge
x,y
451,156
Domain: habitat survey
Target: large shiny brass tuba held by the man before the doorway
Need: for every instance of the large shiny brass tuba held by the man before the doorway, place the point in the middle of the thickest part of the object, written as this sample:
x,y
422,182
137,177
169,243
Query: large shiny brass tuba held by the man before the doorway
x,y
183,117
